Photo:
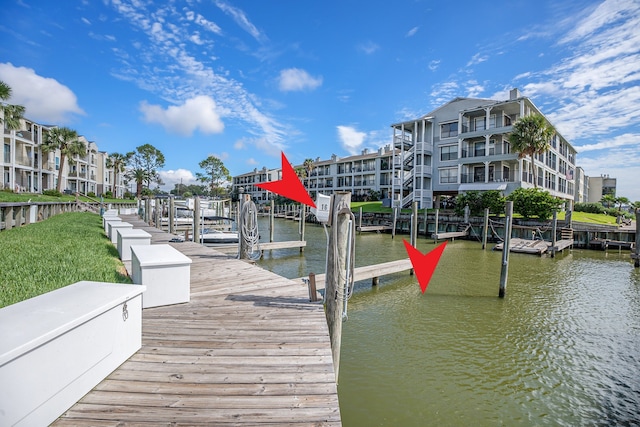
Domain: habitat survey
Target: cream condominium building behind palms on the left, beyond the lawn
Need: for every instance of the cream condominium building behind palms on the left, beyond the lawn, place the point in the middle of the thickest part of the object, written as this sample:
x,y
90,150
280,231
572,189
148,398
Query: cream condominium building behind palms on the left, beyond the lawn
x,y
25,168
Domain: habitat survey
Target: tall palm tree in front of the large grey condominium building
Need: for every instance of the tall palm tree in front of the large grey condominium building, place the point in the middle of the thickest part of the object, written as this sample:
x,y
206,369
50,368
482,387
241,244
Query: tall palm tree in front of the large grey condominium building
x,y
530,136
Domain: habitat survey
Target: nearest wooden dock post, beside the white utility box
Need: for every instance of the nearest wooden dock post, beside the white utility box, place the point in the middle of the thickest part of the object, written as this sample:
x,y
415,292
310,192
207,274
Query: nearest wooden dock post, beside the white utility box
x,y
336,275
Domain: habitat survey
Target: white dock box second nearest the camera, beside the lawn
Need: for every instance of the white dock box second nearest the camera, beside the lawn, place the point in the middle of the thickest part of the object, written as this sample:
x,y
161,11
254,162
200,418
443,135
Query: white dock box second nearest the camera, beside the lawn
x,y
165,272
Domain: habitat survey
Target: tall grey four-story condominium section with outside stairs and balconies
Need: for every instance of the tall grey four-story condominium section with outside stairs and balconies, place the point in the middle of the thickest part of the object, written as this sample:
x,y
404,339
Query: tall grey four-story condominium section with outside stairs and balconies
x,y
463,145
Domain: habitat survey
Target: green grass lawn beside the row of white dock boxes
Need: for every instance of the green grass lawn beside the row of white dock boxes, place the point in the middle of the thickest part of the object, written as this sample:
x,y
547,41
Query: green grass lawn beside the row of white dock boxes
x,y
60,251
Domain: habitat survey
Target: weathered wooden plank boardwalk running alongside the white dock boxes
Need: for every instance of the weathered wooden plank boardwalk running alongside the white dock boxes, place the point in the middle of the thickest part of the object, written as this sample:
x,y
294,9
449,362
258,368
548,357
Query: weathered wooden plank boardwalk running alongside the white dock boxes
x,y
248,349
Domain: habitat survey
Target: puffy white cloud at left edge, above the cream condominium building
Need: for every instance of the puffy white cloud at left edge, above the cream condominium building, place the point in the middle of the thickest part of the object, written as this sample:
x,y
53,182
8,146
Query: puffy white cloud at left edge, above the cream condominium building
x,y
45,99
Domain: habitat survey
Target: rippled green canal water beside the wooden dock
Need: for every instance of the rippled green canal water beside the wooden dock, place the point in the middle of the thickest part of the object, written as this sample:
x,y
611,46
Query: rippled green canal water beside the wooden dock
x,y
562,348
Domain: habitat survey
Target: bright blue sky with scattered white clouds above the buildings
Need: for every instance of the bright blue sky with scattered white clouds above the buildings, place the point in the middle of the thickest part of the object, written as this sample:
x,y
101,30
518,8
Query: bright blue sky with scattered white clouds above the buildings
x,y
246,80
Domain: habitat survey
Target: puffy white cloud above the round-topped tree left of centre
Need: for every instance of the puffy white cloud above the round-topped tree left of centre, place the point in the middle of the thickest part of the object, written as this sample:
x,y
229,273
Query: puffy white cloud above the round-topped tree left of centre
x,y
197,113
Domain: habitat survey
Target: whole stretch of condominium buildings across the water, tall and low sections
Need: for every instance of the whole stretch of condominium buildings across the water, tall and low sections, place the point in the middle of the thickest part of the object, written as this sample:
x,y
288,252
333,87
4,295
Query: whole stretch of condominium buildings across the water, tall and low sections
x,y
460,146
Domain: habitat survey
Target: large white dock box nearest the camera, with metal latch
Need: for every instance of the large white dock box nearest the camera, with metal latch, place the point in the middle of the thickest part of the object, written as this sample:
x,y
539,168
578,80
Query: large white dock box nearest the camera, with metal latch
x,y
56,347
